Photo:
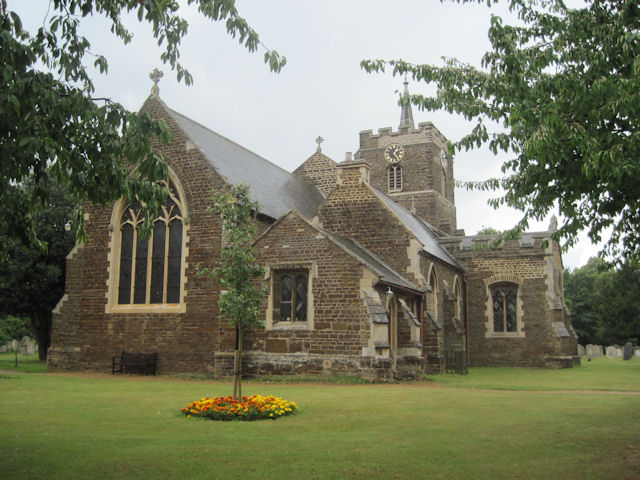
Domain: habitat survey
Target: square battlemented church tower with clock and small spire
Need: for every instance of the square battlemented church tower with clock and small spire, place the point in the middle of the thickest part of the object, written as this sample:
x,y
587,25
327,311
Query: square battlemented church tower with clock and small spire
x,y
412,167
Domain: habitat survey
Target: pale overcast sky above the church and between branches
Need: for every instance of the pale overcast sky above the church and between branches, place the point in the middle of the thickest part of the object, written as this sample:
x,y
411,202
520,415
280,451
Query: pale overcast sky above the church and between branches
x,y
321,91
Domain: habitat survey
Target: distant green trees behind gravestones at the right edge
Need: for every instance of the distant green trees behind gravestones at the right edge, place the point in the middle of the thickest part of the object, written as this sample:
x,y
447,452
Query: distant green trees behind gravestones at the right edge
x,y
604,302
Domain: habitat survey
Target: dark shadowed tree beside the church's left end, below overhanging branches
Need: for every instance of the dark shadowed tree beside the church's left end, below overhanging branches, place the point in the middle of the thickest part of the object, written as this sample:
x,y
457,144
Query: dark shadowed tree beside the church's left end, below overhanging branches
x,y
32,279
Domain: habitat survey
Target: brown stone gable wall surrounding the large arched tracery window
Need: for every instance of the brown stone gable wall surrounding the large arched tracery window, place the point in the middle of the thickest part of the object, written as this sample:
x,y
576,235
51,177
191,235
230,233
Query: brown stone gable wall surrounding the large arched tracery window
x,y
85,337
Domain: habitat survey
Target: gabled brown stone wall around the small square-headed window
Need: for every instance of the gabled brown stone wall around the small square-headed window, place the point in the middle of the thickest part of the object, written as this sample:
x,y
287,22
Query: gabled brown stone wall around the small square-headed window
x,y
338,327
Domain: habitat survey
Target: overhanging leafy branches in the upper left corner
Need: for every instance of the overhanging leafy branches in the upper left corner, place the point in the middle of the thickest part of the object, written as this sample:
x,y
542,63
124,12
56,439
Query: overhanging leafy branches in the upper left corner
x,y
49,119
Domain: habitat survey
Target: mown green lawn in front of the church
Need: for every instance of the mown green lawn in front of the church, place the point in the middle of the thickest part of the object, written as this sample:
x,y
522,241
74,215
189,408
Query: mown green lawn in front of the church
x,y
488,425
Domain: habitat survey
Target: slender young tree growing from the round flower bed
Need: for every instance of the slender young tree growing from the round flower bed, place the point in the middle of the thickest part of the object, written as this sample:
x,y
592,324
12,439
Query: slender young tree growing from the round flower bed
x,y
237,273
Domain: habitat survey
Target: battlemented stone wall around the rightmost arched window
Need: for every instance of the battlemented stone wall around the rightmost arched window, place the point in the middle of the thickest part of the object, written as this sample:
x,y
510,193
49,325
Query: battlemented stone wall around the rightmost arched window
x,y
544,336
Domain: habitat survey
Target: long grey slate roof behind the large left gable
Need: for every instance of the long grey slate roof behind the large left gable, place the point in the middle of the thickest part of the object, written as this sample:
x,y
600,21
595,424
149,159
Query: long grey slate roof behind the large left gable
x,y
277,190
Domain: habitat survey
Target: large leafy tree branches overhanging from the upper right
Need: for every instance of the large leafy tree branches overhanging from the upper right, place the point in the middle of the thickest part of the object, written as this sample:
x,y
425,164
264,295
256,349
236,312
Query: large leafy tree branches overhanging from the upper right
x,y
561,89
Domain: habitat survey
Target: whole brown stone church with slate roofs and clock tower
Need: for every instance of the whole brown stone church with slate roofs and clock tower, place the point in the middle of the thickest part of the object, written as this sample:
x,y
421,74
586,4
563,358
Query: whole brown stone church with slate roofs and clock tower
x,y
367,270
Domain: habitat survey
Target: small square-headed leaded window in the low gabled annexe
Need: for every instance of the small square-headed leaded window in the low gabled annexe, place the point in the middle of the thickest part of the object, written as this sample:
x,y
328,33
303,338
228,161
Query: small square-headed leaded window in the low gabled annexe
x,y
291,296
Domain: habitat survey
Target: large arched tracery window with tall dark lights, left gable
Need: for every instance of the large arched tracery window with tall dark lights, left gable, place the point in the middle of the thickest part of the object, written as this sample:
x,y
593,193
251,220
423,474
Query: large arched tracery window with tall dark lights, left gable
x,y
150,268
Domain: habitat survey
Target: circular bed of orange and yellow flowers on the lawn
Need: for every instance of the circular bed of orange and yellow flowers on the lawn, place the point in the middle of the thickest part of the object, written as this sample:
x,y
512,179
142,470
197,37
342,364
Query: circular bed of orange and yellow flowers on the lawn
x,y
255,407
